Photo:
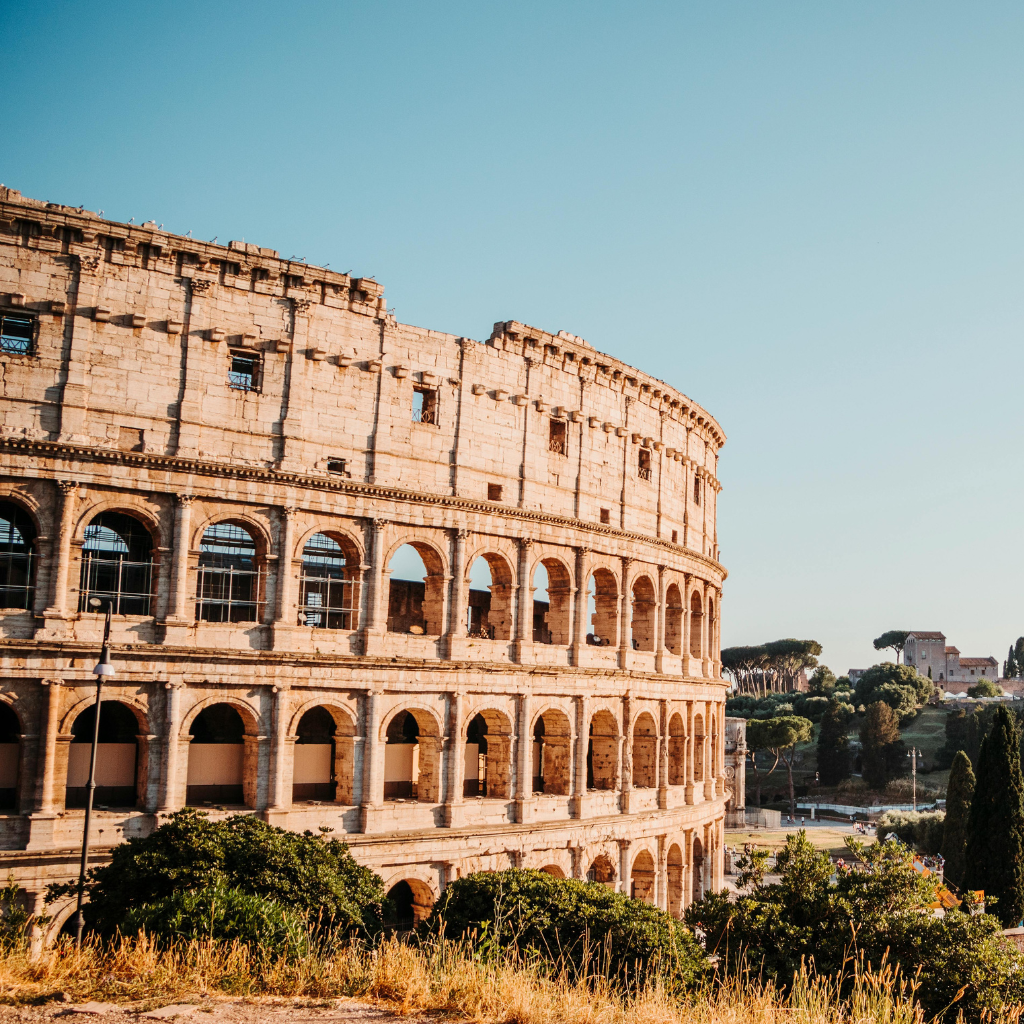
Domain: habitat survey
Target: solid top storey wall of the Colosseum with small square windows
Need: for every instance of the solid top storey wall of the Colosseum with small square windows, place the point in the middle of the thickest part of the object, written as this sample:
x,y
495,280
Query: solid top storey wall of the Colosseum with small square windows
x,y
155,344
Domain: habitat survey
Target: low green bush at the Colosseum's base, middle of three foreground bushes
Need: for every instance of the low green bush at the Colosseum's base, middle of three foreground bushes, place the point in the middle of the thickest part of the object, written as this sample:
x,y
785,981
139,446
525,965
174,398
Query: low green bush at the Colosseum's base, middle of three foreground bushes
x,y
582,925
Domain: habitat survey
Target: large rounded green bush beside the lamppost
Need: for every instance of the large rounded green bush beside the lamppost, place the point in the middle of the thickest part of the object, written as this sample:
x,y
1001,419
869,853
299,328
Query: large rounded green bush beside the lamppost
x,y
313,876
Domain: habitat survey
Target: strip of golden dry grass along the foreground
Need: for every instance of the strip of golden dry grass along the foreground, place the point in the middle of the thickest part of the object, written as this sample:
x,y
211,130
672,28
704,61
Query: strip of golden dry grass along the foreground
x,y
441,978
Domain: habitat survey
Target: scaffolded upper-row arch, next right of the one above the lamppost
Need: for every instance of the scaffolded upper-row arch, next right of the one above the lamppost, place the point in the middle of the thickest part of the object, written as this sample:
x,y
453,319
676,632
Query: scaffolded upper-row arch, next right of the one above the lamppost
x,y
230,588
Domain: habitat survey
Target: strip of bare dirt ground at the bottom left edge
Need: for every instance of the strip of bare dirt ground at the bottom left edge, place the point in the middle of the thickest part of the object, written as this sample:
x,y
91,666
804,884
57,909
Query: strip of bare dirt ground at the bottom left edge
x,y
204,1011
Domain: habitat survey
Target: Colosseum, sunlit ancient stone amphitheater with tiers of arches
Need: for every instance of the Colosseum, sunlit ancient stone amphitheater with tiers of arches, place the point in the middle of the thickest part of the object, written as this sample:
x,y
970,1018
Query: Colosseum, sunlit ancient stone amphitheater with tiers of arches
x,y
458,602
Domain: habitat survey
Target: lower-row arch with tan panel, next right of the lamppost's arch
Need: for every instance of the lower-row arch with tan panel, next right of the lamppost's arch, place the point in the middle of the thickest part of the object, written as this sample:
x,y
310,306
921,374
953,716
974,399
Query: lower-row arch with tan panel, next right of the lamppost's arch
x,y
222,759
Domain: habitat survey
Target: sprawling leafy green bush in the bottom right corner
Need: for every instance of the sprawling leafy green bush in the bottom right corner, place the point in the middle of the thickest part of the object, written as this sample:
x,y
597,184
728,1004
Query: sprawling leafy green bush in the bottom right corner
x,y
879,910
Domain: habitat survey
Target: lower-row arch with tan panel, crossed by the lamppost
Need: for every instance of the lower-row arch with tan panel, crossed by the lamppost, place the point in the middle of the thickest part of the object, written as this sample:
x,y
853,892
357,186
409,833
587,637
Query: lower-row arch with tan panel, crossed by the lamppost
x,y
117,757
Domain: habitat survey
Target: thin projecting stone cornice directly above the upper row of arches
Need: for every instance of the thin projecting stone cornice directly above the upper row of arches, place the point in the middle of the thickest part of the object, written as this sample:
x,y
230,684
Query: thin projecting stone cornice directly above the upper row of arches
x,y
198,467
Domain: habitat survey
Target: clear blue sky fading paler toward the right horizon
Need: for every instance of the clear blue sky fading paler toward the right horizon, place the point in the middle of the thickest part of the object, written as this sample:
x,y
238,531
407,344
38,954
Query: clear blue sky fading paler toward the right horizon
x,y
807,217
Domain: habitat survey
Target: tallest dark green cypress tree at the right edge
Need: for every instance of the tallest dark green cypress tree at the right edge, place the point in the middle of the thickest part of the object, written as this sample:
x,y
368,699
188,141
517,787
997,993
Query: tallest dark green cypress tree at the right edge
x,y
996,828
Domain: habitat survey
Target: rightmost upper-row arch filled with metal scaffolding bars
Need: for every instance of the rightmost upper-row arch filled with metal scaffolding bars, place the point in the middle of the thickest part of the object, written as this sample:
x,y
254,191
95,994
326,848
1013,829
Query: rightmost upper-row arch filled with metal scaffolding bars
x,y
329,585
